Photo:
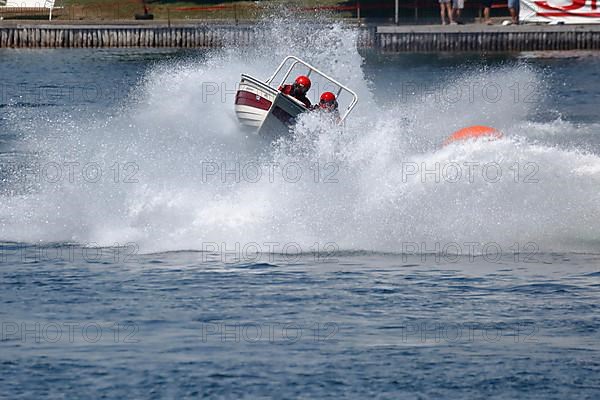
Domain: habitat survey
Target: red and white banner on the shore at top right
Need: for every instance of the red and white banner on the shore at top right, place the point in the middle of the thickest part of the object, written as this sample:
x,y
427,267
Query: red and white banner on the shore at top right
x,y
565,11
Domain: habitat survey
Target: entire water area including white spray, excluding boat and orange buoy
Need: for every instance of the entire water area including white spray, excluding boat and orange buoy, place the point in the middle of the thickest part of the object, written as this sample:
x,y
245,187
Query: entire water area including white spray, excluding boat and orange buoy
x,y
151,249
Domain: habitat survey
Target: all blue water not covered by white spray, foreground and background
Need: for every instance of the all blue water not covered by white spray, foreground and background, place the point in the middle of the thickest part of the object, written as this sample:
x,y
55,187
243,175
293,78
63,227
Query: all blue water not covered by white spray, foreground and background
x,y
117,322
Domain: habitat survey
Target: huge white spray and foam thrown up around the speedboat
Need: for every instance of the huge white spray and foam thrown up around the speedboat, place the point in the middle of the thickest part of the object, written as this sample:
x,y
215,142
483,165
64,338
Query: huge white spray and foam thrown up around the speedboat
x,y
362,187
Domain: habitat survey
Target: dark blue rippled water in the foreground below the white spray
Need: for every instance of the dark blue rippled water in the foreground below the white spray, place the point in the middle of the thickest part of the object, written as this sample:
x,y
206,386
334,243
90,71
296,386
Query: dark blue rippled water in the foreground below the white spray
x,y
185,324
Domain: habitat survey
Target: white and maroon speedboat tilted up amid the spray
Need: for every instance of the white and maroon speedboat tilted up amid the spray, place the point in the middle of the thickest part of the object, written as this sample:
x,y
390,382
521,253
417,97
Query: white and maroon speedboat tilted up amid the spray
x,y
262,107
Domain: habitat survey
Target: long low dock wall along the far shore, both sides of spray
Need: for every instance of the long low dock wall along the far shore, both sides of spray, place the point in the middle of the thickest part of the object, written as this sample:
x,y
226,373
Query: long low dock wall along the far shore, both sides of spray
x,y
385,38
